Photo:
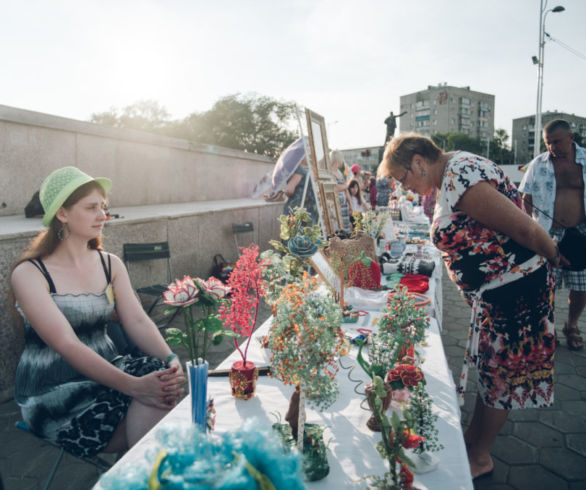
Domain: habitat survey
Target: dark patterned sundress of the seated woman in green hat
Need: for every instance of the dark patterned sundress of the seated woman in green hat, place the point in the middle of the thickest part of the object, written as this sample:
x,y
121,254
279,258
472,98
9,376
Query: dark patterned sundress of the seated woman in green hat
x,y
58,403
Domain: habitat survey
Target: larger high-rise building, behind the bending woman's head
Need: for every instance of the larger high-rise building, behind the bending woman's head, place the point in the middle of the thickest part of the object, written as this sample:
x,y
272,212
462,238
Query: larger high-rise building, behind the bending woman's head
x,y
447,109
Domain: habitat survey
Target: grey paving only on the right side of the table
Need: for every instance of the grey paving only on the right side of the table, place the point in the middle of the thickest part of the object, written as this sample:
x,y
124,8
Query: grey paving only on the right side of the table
x,y
541,449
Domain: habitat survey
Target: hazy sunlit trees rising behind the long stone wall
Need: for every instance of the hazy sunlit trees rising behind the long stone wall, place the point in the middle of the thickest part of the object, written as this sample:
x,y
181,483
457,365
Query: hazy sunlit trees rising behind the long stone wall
x,y
252,123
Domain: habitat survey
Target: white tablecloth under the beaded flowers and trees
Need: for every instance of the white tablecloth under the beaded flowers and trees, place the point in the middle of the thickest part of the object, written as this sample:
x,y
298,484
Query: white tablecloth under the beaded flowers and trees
x,y
352,454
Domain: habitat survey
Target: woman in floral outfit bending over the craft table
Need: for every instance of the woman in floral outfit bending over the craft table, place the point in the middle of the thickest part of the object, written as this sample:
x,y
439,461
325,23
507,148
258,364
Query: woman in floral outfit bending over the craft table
x,y
500,260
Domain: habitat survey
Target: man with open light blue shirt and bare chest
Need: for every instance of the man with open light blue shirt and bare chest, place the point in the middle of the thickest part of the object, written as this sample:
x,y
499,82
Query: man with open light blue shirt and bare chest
x,y
554,184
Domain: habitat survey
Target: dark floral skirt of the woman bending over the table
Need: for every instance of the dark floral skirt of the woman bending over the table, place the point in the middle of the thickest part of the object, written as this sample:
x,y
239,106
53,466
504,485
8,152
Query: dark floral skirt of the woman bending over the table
x,y
517,343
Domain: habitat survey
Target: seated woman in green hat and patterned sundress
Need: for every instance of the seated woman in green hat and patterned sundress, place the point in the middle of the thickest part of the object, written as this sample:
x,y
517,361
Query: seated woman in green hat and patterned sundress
x,y
72,386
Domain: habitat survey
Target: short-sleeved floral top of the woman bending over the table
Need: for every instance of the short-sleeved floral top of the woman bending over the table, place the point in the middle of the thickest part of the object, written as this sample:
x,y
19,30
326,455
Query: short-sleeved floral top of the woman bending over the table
x,y
474,255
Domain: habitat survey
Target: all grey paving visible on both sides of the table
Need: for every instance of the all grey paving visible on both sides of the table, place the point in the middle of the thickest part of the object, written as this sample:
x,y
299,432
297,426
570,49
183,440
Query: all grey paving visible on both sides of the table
x,y
537,449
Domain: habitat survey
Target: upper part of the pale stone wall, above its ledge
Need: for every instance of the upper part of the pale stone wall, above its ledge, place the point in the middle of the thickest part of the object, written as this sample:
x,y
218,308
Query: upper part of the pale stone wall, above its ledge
x,y
145,168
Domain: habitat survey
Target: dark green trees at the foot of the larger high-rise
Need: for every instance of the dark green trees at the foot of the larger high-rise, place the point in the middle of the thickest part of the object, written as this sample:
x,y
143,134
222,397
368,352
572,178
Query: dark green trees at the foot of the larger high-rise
x,y
498,151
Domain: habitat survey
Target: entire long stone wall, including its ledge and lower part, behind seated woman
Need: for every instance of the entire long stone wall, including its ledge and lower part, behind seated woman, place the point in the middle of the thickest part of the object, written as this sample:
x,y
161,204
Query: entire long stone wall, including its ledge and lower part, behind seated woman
x,y
149,172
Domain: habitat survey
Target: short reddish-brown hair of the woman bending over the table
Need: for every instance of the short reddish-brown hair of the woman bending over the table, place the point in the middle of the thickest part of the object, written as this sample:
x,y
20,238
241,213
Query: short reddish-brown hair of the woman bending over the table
x,y
400,151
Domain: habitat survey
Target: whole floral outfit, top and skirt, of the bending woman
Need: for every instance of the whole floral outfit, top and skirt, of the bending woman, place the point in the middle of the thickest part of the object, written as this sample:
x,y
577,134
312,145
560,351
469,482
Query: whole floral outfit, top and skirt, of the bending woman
x,y
510,289
